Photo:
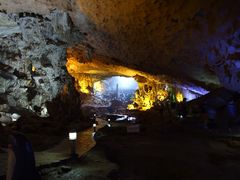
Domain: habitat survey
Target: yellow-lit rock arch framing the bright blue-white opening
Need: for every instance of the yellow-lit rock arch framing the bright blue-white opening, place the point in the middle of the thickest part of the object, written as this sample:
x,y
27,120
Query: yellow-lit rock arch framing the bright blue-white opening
x,y
88,74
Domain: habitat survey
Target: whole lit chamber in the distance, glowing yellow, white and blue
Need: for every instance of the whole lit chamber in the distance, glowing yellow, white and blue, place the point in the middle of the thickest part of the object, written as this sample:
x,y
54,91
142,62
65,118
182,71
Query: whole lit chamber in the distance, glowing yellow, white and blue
x,y
104,85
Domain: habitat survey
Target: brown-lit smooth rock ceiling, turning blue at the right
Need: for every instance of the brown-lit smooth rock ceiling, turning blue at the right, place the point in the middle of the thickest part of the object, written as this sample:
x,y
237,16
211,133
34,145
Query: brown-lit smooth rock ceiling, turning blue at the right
x,y
195,40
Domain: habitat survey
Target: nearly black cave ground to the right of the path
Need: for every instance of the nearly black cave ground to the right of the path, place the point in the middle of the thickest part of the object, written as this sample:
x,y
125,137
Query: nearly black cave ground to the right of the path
x,y
170,150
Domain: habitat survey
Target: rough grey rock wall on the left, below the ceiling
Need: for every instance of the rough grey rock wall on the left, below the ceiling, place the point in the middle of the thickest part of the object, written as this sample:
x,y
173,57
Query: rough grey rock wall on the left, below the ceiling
x,y
33,57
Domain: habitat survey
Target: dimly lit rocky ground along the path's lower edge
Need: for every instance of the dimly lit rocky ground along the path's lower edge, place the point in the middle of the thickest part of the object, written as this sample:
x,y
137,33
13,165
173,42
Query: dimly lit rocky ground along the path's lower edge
x,y
92,166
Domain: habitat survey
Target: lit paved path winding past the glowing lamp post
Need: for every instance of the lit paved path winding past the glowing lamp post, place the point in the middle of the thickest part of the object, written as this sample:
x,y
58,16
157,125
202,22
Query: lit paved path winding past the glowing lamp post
x,y
62,150
